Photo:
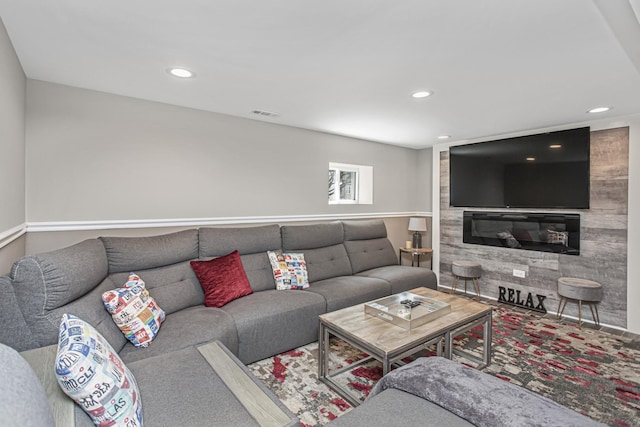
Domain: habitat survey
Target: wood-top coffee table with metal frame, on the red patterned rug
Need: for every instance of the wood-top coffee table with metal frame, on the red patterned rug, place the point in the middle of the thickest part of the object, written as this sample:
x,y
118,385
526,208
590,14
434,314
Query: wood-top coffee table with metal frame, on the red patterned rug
x,y
389,343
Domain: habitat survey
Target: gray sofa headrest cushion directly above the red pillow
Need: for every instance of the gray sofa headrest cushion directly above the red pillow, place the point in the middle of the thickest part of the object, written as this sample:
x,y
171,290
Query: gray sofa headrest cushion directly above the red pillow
x,y
218,241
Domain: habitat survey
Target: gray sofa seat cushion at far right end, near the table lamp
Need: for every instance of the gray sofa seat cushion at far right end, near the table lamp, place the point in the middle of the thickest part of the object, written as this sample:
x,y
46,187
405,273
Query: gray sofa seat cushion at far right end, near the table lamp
x,y
403,278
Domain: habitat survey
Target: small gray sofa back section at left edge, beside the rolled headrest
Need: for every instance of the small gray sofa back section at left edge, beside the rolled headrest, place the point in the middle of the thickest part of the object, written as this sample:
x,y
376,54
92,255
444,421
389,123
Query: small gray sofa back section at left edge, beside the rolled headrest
x,y
14,331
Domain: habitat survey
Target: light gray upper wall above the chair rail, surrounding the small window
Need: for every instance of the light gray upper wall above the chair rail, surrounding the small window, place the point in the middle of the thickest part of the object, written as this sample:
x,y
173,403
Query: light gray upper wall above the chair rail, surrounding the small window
x,y
93,156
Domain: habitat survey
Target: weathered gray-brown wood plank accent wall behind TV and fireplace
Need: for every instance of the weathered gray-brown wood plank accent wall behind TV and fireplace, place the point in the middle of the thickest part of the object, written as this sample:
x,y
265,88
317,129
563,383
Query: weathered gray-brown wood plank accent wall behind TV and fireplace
x,y
603,245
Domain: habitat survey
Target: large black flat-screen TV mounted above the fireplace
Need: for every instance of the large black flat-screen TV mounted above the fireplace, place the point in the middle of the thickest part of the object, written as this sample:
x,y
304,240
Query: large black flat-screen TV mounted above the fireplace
x,y
548,170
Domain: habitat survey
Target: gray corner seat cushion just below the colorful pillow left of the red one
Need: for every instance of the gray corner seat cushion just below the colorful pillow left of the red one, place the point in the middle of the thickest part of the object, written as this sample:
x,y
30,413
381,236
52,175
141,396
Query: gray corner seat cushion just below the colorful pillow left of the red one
x,y
185,328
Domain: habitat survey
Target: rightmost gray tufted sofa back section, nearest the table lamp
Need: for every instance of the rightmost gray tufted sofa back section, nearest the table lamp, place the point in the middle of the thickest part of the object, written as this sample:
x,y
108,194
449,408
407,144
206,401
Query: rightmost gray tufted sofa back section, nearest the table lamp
x,y
367,245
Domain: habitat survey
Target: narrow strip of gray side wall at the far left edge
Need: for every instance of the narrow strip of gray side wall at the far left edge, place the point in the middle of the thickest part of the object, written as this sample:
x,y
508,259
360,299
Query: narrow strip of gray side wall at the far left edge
x,y
12,147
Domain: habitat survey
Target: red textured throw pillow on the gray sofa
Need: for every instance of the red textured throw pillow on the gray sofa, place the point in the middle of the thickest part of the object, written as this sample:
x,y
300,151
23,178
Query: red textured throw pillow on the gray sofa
x,y
223,279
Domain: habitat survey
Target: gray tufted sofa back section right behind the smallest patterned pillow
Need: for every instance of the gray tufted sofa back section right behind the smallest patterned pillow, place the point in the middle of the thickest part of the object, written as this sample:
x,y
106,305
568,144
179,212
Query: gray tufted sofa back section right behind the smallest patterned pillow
x,y
322,246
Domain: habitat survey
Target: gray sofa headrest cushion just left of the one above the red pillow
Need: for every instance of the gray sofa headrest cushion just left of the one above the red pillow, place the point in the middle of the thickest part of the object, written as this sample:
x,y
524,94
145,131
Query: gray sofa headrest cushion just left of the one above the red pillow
x,y
127,254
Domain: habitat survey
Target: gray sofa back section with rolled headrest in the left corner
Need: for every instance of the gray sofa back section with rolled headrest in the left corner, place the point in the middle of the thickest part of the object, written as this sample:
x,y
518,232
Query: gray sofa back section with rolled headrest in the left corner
x,y
69,280
